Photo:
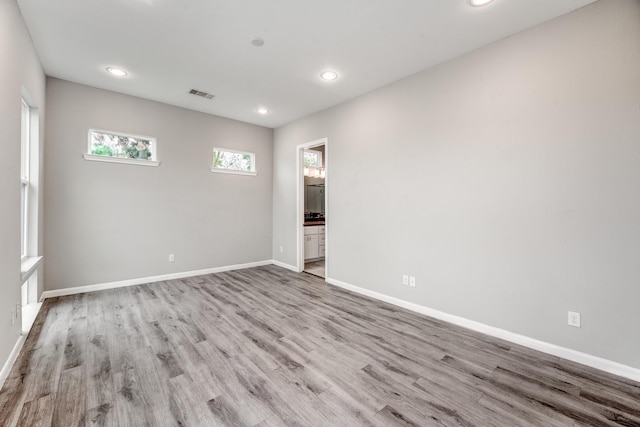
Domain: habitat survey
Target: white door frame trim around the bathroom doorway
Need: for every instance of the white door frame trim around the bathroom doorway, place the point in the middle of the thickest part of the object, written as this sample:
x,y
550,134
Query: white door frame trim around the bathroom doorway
x,y
300,199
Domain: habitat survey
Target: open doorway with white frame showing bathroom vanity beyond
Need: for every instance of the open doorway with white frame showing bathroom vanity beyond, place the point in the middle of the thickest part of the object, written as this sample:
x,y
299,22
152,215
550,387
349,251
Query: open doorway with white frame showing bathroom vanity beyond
x,y
312,213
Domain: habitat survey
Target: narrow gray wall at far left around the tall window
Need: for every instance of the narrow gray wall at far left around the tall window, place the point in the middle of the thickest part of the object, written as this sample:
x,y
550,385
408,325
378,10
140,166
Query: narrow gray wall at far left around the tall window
x,y
19,68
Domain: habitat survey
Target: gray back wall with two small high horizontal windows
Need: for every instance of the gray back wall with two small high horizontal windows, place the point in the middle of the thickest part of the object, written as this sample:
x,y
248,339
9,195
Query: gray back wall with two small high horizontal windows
x,y
109,222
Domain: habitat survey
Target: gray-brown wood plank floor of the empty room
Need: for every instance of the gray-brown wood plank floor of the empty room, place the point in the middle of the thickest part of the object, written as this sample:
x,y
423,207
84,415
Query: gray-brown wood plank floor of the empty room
x,y
268,347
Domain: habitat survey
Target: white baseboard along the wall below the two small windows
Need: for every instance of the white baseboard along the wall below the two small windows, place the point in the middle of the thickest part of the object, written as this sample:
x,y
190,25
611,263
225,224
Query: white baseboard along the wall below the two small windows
x,y
143,280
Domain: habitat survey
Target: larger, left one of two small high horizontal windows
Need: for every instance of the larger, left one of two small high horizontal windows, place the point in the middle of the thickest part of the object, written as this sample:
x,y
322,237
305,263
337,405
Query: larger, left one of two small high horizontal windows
x,y
117,147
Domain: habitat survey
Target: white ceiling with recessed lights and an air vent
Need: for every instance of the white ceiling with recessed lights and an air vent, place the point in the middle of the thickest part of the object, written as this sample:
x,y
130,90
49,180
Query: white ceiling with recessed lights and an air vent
x,y
171,46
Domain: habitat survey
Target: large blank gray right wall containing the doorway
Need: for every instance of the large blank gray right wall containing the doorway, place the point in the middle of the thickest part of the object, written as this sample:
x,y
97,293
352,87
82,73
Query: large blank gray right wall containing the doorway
x,y
506,181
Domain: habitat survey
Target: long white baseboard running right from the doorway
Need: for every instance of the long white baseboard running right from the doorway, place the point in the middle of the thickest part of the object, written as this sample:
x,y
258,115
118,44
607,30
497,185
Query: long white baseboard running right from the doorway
x,y
545,347
